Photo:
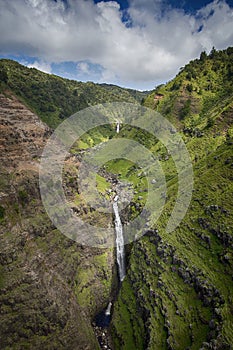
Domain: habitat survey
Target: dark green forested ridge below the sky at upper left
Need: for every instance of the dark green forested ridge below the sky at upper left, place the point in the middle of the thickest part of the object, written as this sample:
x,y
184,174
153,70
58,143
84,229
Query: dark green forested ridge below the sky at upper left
x,y
54,98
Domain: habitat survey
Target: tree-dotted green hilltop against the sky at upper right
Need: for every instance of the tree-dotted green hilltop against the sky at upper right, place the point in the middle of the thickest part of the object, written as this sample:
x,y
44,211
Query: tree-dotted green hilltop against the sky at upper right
x,y
200,86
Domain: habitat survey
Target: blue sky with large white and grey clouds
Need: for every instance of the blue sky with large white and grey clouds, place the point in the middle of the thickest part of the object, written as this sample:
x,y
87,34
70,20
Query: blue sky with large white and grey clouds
x,y
136,43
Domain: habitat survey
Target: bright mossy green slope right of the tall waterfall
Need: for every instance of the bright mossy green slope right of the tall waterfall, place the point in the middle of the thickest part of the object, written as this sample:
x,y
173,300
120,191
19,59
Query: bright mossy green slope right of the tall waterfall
x,y
178,290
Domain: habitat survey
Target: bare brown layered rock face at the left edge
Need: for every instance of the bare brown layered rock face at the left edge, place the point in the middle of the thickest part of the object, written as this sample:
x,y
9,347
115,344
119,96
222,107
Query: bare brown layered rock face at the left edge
x,y
23,134
